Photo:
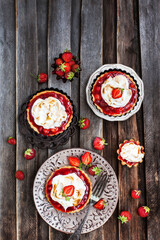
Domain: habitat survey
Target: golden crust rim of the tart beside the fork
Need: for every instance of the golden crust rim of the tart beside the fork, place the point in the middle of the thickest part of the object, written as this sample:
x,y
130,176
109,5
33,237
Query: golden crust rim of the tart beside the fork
x,y
69,167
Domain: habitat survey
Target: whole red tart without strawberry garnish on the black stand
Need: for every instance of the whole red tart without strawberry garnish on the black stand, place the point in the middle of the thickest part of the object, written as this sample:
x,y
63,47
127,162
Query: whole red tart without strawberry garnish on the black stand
x,y
49,112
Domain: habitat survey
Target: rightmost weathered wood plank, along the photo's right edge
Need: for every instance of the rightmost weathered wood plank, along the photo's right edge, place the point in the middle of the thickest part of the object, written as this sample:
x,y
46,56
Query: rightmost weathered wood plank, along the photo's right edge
x,y
149,14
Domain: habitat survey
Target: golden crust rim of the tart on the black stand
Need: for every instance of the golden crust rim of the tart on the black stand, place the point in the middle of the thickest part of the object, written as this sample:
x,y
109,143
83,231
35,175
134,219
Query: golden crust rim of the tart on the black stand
x,y
28,113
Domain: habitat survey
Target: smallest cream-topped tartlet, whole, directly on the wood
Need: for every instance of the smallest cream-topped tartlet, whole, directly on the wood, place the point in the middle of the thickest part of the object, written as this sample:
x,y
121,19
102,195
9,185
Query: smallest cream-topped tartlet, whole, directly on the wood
x,y
130,153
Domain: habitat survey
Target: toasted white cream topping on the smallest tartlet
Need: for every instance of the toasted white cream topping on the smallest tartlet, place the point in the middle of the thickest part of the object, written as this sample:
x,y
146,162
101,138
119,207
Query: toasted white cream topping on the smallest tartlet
x,y
131,152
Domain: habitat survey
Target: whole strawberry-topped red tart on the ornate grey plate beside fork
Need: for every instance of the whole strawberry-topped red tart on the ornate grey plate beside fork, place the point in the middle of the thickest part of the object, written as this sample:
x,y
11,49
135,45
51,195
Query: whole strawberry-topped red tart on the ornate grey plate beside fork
x,y
68,189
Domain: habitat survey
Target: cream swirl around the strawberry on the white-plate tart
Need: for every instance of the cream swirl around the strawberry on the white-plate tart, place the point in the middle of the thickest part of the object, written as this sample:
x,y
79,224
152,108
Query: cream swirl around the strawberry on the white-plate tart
x,y
119,81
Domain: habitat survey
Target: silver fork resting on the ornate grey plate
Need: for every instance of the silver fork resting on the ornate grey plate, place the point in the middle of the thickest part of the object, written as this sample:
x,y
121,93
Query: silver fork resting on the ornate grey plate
x,y
97,191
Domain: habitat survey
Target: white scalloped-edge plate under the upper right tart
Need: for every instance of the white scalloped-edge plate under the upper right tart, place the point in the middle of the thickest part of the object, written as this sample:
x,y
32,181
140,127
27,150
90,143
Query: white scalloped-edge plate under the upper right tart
x,y
99,71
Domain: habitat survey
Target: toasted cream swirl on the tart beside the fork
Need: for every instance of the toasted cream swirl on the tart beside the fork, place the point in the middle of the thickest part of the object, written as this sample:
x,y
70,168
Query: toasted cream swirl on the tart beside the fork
x,y
61,181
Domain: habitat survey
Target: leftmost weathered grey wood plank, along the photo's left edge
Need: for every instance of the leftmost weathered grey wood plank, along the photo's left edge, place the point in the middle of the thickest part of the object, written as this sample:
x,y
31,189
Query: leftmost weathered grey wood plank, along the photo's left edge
x,y
7,121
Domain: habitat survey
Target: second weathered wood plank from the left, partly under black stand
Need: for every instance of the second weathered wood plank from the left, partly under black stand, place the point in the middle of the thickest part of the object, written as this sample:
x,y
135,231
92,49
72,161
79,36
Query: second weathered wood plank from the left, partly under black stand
x,y
26,62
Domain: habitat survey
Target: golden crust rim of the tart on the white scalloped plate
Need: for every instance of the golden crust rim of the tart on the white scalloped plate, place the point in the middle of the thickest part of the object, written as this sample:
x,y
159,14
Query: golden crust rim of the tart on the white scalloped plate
x,y
101,109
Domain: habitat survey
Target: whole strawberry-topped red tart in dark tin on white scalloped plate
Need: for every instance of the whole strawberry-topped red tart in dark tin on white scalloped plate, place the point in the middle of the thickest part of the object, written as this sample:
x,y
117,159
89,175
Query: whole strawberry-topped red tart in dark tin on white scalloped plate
x,y
115,93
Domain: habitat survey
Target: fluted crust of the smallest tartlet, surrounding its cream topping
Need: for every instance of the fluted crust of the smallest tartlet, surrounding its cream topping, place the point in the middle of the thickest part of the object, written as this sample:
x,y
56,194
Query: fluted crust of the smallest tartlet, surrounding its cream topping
x,y
125,162
